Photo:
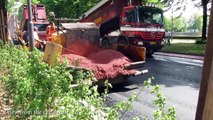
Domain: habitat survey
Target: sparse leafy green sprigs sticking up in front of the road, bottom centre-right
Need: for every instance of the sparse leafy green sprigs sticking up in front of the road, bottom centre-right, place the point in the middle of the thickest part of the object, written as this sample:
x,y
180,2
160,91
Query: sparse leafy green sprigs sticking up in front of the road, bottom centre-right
x,y
162,113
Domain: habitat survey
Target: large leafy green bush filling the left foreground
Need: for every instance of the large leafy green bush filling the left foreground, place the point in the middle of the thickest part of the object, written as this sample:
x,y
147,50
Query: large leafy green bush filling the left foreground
x,y
40,91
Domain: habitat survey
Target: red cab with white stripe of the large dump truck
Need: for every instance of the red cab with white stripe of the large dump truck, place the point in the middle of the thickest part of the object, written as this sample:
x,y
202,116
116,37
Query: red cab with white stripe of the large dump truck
x,y
142,26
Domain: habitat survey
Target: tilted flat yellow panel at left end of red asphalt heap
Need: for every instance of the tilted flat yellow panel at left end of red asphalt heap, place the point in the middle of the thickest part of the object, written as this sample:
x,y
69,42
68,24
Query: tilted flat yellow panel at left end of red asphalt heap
x,y
51,52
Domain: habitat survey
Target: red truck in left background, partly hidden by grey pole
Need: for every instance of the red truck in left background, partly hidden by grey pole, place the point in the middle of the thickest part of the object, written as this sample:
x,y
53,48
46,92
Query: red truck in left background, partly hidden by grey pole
x,y
39,19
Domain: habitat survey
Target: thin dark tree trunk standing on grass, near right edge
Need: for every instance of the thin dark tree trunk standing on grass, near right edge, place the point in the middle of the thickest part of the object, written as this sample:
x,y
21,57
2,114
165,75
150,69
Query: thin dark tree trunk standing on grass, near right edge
x,y
204,21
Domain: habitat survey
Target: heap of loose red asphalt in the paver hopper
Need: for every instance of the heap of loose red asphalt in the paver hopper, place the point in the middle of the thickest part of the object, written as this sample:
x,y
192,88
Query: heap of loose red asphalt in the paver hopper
x,y
104,62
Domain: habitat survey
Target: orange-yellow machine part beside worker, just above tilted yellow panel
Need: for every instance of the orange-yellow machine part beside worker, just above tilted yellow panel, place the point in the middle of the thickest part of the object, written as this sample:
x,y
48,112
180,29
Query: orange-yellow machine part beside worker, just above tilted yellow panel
x,y
59,38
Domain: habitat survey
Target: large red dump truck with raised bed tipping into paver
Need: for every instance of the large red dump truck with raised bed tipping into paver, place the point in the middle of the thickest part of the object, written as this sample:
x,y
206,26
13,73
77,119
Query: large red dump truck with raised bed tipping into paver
x,y
128,22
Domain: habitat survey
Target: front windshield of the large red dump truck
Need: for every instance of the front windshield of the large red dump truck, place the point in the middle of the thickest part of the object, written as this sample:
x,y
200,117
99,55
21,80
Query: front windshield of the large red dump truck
x,y
150,15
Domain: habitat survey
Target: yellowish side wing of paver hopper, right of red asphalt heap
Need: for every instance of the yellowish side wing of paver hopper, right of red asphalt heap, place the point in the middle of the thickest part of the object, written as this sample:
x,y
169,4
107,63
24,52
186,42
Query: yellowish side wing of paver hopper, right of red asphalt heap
x,y
136,52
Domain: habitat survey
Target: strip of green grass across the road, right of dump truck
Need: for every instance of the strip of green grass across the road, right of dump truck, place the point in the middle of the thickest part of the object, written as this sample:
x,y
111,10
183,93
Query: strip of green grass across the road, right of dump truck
x,y
187,48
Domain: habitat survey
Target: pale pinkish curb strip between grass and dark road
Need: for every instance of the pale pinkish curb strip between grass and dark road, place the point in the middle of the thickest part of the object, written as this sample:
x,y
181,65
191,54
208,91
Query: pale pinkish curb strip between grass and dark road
x,y
181,55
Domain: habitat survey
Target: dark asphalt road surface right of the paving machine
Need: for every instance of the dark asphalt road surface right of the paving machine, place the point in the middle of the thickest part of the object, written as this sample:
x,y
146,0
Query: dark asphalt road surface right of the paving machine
x,y
179,79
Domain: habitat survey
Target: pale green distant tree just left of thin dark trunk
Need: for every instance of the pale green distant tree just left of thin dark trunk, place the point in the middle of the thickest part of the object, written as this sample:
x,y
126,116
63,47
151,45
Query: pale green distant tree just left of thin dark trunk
x,y
195,23
